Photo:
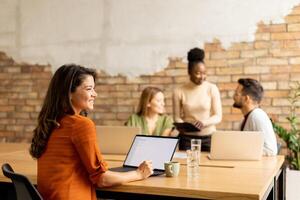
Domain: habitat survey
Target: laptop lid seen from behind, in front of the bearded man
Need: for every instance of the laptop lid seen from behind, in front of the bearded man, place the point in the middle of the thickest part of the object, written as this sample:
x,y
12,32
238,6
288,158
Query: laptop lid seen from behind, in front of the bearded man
x,y
236,145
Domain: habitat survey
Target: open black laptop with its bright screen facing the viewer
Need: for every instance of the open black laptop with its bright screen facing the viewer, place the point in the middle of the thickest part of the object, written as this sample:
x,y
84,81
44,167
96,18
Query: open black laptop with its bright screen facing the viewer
x,y
156,148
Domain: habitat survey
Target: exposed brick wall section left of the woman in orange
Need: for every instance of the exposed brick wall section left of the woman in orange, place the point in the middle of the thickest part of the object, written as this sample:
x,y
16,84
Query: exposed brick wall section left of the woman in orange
x,y
22,88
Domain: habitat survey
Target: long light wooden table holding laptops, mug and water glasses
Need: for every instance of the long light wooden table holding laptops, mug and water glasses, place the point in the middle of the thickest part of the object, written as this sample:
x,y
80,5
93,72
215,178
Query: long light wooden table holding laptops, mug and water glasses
x,y
217,180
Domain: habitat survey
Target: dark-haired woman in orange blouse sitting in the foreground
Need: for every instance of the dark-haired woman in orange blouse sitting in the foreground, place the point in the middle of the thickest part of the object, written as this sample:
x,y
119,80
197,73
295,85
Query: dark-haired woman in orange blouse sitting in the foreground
x,y
70,164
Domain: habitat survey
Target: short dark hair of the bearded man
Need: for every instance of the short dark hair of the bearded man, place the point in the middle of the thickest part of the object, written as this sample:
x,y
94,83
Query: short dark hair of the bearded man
x,y
252,88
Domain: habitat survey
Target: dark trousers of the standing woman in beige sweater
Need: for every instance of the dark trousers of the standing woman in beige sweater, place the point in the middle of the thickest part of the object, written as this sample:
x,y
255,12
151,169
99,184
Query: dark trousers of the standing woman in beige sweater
x,y
185,142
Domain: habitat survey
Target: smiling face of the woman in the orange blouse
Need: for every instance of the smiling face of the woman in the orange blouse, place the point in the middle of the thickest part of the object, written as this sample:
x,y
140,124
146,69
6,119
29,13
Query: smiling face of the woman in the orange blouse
x,y
84,95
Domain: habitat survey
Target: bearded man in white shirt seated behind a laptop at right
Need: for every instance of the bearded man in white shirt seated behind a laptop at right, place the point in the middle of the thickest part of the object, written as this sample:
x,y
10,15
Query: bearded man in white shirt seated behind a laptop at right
x,y
247,98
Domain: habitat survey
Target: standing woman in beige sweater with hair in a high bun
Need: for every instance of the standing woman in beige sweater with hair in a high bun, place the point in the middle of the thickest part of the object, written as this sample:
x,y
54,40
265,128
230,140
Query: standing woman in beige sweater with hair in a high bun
x,y
197,102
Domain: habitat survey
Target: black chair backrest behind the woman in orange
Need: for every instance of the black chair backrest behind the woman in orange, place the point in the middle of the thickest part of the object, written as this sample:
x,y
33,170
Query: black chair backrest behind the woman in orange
x,y
24,189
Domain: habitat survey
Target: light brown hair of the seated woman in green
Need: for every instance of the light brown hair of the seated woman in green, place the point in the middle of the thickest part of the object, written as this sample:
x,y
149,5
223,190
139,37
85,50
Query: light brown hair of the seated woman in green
x,y
146,96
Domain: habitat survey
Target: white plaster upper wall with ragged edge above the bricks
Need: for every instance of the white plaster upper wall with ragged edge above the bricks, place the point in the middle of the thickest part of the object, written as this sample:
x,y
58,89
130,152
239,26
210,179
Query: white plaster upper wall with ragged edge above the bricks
x,y
132,37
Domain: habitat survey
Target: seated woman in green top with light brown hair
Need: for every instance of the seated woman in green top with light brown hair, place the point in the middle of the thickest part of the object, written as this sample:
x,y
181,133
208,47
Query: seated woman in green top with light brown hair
x,y
149,117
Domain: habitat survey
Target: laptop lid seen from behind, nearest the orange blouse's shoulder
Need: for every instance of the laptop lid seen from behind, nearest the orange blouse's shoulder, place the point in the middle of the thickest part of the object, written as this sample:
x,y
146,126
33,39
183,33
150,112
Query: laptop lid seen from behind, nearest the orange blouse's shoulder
x,y
108,137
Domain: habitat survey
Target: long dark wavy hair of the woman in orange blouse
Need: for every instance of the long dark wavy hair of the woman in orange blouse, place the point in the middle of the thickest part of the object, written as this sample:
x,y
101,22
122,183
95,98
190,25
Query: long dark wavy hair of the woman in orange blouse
x,y
57,103
